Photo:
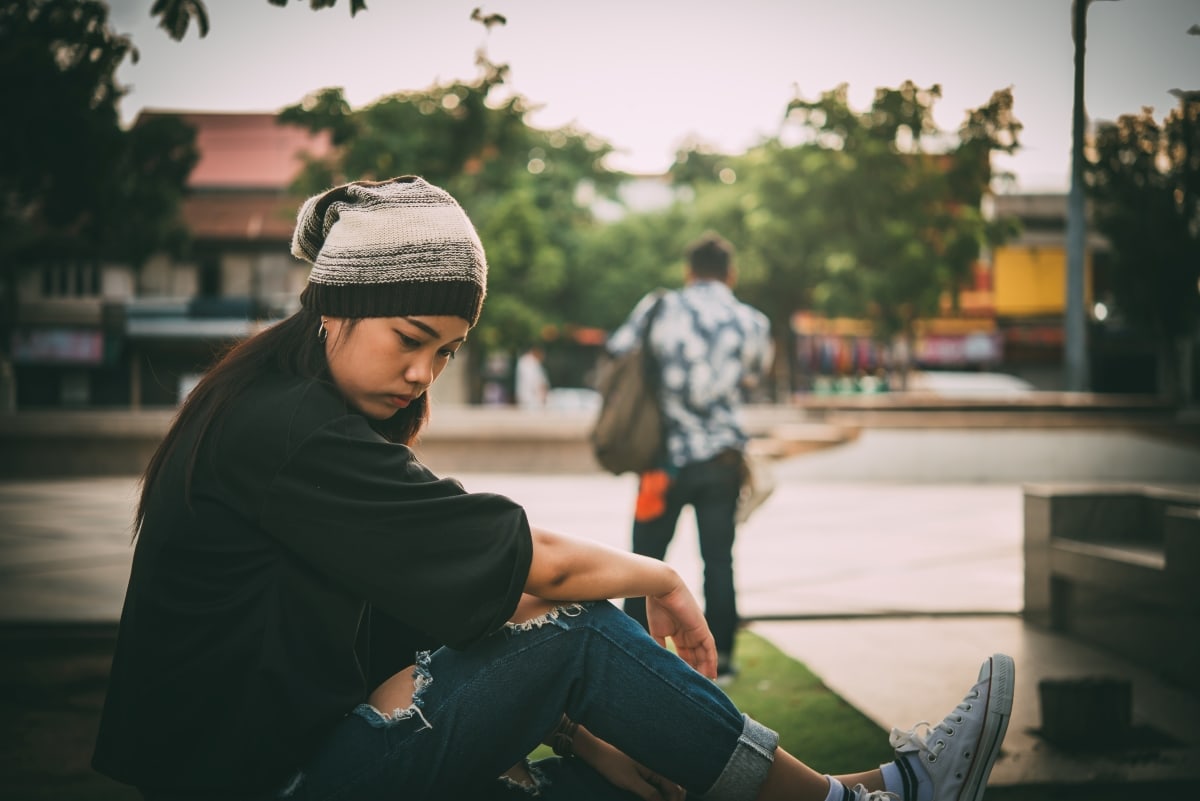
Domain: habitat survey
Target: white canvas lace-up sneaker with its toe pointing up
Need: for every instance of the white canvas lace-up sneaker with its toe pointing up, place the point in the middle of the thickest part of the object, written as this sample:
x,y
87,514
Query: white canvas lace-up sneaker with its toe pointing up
x,y
959,752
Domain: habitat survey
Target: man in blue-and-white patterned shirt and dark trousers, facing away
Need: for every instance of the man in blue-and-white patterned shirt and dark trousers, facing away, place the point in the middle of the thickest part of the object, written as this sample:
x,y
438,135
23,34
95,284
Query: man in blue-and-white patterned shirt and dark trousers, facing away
x,y
710,348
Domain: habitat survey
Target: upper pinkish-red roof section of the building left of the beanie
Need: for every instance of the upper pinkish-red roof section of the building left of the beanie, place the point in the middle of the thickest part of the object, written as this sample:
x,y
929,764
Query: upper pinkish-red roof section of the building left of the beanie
x,y
251,150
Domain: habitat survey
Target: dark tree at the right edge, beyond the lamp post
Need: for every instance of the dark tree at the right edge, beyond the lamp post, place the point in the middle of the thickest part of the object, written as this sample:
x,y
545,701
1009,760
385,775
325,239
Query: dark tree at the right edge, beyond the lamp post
x,y
1144,182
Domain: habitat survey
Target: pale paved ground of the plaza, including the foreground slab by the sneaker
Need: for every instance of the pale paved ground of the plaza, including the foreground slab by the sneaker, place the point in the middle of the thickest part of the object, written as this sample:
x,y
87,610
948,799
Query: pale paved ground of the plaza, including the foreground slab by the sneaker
x,y
893,594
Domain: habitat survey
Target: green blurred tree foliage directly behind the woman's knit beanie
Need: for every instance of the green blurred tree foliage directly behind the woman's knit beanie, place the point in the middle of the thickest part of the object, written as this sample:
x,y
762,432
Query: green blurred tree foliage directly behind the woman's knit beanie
x,y
526,189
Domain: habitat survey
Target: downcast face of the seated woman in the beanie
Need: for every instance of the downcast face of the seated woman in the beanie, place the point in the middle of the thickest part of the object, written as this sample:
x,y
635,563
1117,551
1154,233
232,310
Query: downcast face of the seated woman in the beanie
x,y
383,364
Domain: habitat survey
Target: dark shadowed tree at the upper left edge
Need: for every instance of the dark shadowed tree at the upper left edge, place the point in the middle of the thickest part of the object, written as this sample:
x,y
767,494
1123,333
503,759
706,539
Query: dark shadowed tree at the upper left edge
x,y
82,190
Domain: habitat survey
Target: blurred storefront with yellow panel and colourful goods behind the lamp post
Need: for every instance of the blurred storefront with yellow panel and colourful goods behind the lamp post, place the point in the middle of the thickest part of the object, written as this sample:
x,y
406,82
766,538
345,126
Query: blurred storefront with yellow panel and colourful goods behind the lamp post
x,y
1010,320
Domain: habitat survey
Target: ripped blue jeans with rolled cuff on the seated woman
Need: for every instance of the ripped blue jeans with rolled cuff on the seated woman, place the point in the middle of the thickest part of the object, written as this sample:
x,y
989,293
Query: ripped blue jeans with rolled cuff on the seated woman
x,y
481,712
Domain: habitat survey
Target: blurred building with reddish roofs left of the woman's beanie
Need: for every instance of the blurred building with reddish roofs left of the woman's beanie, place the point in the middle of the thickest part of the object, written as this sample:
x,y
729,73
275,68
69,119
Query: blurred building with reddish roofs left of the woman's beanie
x,y
116,335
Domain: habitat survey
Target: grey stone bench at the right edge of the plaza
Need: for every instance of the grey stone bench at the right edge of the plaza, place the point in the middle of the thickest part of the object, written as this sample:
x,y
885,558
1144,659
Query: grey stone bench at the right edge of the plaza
x,y
1119,567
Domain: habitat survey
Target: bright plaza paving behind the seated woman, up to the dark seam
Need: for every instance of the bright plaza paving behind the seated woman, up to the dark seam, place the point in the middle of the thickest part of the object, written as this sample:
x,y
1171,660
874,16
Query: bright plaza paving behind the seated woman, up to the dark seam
x,y
65,545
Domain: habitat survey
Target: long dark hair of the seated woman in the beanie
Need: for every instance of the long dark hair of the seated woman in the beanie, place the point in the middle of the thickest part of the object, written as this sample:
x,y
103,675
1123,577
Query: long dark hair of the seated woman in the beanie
x,y
290,347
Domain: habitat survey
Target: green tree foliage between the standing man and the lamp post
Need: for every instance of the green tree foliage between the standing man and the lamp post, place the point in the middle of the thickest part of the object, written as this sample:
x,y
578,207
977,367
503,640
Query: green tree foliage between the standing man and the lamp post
x,y
873,214
